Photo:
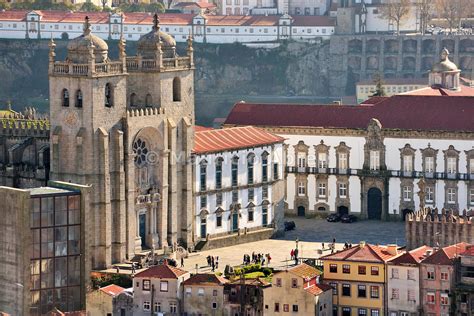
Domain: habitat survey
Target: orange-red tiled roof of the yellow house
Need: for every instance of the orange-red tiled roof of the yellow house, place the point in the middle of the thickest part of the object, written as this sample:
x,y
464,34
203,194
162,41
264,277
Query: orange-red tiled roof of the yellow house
x,y
367,253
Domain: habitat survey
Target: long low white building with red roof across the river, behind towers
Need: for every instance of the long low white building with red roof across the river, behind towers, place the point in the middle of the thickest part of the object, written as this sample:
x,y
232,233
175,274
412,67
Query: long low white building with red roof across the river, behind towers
x,y
22,24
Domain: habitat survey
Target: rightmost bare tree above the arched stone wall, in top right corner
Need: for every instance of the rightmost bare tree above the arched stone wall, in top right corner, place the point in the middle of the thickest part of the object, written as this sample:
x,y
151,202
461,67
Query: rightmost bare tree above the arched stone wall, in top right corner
x,y
453,11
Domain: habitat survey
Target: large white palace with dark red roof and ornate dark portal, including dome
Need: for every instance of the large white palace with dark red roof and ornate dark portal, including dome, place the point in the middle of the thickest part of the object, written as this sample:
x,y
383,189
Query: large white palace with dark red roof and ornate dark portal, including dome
x,y
368,159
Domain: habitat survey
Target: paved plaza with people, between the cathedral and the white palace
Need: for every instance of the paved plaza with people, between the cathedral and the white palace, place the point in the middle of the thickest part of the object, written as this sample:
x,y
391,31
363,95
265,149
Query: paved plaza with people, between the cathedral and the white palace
x,y
311,234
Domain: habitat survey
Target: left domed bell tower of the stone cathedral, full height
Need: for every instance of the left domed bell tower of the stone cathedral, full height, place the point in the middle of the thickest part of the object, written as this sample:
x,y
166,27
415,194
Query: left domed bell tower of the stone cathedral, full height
x,y
87,106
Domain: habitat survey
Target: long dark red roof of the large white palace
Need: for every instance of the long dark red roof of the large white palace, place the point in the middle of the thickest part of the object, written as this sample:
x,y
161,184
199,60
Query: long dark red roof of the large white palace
x,y
405,112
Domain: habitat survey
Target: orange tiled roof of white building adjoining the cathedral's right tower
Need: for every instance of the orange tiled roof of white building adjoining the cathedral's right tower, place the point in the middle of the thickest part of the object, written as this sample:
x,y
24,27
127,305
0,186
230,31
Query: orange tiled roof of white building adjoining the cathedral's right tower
x,y
232,138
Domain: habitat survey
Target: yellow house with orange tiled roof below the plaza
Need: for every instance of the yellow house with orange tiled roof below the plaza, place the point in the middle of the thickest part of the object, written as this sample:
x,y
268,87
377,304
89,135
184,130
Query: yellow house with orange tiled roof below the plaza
x,y
357,275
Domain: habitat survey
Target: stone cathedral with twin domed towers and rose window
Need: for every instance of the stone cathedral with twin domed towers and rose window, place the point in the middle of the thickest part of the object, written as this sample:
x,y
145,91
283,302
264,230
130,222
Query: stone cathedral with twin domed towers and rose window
x,y
126,127
